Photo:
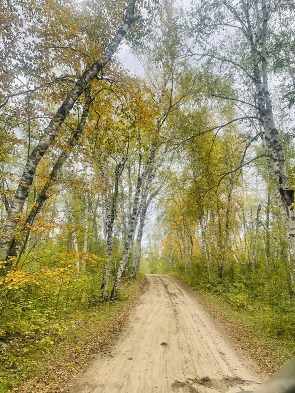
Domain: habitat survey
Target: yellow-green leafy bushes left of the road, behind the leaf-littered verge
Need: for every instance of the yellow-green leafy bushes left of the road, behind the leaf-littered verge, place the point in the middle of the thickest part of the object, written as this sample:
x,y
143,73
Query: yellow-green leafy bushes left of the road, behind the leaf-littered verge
x,y
35,305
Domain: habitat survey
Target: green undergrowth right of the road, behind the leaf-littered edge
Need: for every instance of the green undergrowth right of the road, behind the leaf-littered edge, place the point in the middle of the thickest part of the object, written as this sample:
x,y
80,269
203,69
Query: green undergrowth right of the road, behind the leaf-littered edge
x,y
263,295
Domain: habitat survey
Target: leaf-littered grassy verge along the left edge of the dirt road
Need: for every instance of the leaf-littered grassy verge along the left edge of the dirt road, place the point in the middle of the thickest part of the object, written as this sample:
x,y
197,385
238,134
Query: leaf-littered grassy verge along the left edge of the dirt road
x,y
47,363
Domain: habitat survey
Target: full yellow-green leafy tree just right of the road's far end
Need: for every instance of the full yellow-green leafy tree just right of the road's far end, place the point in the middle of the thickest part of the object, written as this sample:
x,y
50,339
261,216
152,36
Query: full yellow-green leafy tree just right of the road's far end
x,y
200,212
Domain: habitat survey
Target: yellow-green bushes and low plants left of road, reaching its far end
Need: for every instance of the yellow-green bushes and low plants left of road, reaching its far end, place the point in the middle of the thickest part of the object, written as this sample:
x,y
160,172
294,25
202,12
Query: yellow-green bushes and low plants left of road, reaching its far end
x,y
44,309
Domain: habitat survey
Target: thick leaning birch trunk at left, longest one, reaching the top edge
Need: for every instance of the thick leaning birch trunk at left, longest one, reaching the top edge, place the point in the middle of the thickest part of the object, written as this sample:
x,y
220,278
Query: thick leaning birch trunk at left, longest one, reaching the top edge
x,y
8,246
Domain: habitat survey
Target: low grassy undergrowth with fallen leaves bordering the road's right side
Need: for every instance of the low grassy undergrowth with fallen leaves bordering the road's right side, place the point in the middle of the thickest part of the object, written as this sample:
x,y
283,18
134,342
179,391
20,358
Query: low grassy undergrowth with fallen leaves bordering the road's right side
x,y
261,319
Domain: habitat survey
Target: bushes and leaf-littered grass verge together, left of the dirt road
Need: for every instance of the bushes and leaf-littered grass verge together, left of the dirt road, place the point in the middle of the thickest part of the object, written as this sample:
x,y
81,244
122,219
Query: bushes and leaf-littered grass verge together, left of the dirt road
x,y
55,330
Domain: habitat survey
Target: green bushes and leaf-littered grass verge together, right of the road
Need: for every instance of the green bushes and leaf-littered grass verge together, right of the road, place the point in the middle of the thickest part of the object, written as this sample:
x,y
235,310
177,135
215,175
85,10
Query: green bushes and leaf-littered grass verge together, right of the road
x,y
258,313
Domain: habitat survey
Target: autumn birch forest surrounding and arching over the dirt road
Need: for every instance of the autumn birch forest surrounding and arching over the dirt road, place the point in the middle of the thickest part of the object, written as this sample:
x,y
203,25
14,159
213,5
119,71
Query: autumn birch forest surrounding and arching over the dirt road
x,y
184,165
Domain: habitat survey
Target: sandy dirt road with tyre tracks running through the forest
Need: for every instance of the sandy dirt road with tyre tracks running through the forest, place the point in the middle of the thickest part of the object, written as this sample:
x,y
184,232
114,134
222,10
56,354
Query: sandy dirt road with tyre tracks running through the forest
x,y
170,345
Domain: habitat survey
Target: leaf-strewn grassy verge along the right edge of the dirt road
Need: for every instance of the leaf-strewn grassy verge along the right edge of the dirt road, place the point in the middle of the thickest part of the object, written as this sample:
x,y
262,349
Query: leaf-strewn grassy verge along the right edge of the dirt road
x,y
266,333
